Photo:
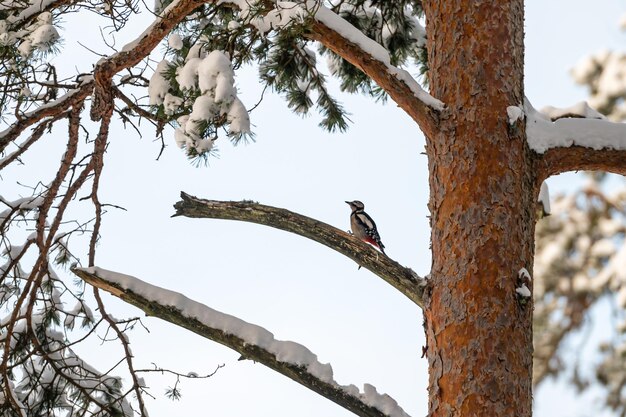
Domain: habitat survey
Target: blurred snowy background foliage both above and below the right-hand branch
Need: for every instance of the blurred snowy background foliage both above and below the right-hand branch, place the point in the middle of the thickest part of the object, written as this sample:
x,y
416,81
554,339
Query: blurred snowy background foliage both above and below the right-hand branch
x,y
581,256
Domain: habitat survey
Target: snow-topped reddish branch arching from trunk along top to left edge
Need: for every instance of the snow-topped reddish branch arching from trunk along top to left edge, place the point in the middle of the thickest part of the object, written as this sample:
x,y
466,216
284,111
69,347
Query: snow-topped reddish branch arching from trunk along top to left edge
x,y
328,28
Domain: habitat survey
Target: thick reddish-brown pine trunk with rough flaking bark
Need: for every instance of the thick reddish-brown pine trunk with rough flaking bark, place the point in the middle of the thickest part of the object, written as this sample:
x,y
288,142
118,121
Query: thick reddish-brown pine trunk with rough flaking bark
x,y
478,329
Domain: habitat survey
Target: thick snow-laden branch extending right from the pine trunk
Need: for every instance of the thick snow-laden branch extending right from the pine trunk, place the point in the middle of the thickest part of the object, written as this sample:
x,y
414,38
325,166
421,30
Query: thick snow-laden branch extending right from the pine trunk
x,y
575,139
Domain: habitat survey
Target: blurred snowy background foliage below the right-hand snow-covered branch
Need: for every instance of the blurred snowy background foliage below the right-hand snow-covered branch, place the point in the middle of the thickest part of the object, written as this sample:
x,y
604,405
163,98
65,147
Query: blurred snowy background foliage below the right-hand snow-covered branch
x,y
580,261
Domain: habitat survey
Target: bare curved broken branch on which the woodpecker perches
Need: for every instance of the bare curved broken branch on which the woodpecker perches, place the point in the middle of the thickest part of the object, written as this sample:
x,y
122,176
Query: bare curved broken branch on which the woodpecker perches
x,y
402,278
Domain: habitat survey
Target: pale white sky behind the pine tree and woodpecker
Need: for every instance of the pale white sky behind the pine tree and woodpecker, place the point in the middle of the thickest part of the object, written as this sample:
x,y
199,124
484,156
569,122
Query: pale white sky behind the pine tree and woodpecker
x,y
295,288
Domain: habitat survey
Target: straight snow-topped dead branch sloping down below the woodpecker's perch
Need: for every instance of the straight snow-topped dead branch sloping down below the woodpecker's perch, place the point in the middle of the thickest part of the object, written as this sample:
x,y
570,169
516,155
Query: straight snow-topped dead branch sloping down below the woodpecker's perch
x,y
251,341
